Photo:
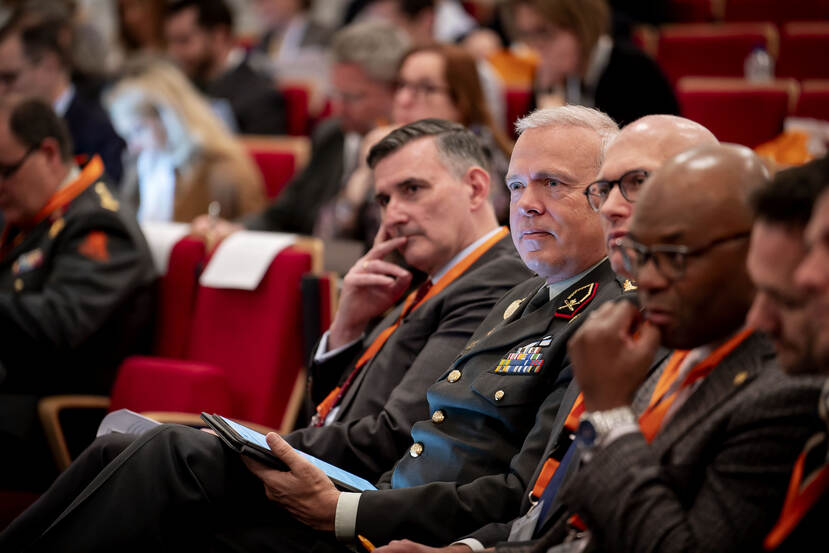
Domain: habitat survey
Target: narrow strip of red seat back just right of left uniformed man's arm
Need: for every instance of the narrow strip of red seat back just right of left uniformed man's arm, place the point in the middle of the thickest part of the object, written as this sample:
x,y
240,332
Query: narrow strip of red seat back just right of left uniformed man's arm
x,y
177,298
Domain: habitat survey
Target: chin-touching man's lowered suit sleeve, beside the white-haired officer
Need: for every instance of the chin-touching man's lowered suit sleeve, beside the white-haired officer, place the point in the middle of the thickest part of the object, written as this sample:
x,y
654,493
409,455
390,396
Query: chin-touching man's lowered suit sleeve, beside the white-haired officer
x,y
372,443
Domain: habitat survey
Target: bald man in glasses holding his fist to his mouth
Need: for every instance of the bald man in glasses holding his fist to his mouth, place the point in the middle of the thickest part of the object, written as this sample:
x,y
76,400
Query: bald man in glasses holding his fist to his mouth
x,y
706,465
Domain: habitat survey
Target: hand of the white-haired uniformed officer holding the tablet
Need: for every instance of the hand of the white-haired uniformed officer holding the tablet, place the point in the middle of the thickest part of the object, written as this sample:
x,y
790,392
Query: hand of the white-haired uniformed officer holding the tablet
x,y
304,491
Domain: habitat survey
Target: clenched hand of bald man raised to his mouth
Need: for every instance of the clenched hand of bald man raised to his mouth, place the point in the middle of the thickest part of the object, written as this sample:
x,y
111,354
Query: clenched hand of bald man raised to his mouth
x,y
611,354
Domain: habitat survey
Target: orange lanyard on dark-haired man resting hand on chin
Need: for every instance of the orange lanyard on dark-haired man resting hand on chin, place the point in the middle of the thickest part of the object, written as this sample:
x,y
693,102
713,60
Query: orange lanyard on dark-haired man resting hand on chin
x,y
333,397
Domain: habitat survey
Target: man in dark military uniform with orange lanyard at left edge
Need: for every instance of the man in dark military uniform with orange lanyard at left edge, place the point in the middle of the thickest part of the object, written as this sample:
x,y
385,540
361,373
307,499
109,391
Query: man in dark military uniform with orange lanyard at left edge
x,y
76,281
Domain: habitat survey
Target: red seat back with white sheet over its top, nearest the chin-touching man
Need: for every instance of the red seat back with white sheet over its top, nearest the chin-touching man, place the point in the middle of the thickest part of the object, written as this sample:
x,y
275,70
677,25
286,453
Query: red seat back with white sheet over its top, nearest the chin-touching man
x,y
255,338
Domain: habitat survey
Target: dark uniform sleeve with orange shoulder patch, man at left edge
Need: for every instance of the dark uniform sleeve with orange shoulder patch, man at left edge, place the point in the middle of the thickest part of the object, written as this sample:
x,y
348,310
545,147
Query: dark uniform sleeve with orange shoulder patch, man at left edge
x,y
79,294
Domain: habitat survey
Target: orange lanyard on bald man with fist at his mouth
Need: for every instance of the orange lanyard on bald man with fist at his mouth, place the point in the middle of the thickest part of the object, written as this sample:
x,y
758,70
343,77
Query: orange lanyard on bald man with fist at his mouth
x,y
651,420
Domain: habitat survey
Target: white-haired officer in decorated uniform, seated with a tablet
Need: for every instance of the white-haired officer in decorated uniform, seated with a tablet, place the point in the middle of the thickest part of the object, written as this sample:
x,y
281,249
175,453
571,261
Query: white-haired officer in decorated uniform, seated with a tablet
x,y
491,410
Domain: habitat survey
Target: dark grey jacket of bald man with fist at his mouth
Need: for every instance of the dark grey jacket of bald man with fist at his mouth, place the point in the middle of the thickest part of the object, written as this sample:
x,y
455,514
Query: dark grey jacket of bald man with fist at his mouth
x,y
625,495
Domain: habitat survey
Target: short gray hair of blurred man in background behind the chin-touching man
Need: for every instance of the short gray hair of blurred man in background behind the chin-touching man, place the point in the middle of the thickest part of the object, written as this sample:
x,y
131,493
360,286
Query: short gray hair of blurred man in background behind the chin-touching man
x,y
377,47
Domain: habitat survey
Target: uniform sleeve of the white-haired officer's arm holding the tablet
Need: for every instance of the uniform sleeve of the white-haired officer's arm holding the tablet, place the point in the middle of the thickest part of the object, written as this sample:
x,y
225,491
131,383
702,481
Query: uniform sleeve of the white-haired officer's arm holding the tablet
x,y
441,512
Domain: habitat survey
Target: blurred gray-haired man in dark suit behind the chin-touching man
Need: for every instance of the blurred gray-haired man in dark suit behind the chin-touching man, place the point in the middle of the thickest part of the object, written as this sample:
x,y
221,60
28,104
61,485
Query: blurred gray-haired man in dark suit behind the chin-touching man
x,y
364,64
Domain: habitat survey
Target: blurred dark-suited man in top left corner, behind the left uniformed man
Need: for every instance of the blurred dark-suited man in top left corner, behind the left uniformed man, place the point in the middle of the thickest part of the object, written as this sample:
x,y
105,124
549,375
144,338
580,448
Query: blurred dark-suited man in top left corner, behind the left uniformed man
x,y
33,62
